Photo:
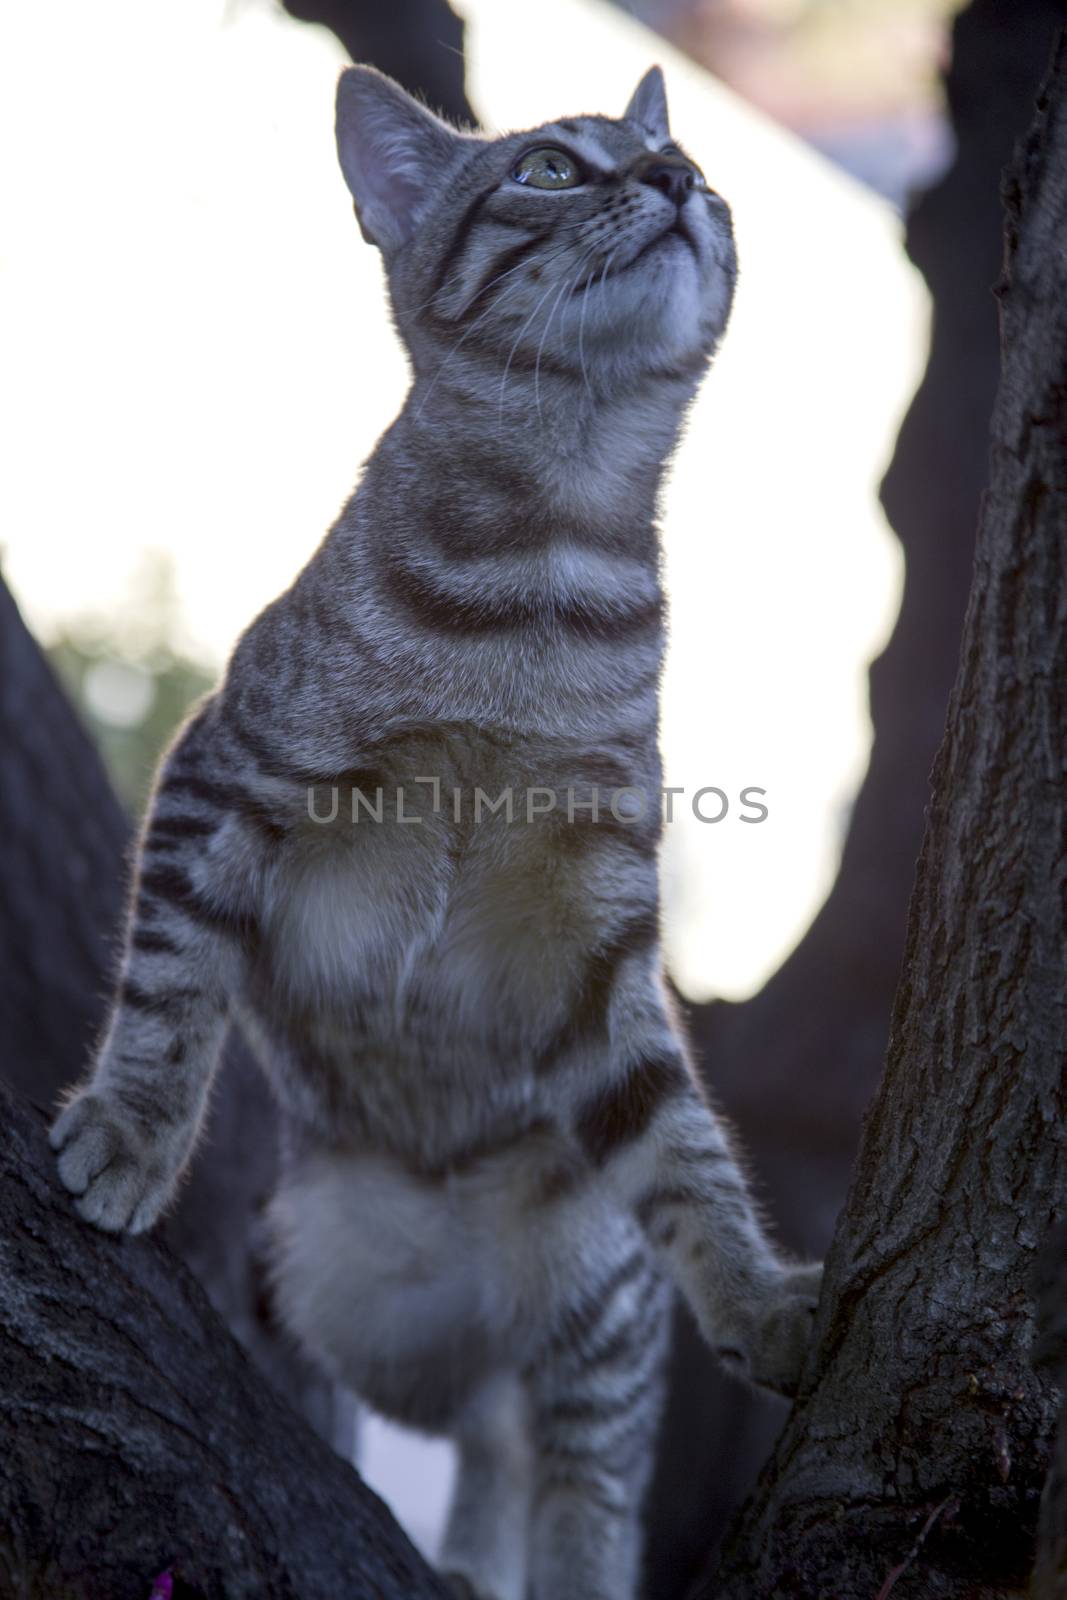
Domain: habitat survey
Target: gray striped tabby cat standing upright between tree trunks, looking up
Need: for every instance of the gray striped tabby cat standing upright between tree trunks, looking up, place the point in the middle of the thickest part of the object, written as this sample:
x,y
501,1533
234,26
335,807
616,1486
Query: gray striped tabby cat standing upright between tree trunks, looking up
x,y
498,1153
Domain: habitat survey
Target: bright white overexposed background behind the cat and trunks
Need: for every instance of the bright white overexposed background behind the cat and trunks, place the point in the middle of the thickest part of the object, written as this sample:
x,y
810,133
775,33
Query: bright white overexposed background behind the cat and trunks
x,y
198,361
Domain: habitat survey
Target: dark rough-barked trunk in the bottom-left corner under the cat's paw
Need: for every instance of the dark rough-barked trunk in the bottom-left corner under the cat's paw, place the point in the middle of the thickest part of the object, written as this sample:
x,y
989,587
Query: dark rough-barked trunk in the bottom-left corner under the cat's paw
x,y
137,1438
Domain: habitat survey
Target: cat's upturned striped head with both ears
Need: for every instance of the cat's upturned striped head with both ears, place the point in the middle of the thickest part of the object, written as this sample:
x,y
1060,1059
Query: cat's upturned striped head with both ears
x,y
591,246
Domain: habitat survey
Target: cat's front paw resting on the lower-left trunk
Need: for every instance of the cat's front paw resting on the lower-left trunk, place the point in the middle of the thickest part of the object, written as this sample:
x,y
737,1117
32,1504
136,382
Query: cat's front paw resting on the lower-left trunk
x,y
121,1177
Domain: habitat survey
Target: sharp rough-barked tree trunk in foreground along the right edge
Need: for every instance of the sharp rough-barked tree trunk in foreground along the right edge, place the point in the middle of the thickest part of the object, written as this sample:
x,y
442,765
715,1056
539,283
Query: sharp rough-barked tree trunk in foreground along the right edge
x,y
916,1455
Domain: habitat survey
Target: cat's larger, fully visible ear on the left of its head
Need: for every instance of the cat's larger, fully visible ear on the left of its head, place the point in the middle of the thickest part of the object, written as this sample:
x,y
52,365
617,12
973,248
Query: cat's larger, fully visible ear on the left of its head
x,y
393,153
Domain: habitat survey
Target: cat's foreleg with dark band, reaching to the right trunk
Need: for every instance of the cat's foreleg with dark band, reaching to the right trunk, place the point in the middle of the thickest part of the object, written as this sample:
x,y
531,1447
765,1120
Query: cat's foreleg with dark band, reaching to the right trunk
x,y
668,1158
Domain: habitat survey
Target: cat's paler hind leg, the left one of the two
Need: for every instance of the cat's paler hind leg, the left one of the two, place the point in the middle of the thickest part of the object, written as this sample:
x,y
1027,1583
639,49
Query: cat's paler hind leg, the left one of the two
x,y
486,1543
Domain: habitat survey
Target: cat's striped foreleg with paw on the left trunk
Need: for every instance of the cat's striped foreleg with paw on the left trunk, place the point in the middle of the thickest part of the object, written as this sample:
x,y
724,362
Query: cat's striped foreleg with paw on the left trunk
x,y
127,1134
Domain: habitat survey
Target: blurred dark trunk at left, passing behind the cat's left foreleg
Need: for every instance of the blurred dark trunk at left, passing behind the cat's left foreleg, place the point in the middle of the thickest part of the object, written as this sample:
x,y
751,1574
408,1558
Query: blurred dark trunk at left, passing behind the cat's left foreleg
x,y
65,846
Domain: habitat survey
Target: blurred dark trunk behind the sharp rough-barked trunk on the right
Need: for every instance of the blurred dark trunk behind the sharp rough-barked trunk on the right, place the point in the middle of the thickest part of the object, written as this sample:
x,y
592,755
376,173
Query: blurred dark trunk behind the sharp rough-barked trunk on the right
x,y
797,1065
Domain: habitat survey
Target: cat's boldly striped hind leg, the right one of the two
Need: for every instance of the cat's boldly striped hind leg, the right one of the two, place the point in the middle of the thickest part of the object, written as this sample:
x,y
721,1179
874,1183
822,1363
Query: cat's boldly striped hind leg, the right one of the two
x,y
596,1398
